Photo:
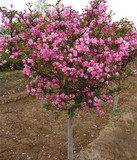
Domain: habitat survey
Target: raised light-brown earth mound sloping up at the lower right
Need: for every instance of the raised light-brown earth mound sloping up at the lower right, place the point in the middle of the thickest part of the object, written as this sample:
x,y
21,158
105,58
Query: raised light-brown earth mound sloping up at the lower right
x,y
117,141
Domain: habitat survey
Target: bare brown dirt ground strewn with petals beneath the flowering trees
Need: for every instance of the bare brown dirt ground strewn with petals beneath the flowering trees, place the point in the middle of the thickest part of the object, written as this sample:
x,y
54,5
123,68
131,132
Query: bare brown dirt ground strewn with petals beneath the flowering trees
x,y
29,132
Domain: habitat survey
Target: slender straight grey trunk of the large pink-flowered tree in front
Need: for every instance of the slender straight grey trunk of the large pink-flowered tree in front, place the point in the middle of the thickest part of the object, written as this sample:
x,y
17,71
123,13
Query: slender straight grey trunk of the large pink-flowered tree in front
x,y
70,140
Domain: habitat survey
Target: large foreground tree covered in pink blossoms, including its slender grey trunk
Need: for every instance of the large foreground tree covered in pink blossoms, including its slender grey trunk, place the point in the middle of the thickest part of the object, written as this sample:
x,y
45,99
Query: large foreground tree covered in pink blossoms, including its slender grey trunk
x,y
74,59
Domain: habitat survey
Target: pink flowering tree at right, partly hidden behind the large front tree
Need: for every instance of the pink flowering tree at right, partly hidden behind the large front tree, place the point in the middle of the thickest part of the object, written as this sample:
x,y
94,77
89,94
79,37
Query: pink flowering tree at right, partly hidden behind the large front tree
x,y
124,29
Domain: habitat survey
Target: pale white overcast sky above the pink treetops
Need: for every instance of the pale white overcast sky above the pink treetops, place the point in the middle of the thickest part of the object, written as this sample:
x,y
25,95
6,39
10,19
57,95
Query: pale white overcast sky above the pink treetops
x,y
122,8
